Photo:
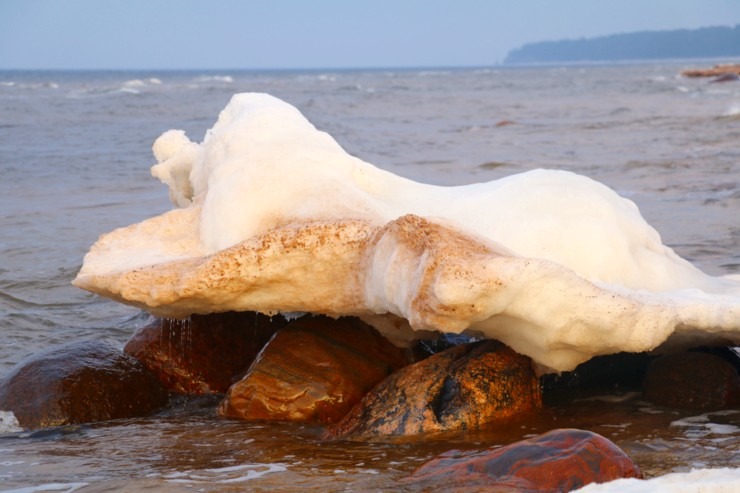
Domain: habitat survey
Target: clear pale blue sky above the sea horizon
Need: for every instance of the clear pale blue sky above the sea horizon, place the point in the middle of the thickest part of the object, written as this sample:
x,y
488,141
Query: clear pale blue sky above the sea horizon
x,y
304,34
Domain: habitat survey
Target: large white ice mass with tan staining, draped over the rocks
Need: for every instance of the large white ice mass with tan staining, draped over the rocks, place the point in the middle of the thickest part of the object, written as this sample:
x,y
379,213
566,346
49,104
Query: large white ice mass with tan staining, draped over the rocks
x,y
274,216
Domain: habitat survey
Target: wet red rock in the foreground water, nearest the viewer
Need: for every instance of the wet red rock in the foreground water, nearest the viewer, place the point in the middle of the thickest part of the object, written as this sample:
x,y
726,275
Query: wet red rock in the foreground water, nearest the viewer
x,y
557,461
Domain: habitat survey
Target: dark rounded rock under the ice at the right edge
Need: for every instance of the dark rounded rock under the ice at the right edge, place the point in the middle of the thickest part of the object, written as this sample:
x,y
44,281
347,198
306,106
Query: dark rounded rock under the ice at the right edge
x,y
692,380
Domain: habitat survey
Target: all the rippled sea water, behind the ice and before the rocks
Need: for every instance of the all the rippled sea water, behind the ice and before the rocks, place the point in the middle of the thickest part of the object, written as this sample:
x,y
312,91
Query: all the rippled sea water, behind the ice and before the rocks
x,y
75,153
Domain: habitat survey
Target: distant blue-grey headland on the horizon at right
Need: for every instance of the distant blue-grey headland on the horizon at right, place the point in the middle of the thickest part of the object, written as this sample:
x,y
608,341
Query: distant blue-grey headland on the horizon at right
x,y
684,43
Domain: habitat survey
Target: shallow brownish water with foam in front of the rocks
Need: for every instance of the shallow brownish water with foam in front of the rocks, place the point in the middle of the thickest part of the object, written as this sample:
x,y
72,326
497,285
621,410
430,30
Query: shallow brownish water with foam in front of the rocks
x,y
190,449
